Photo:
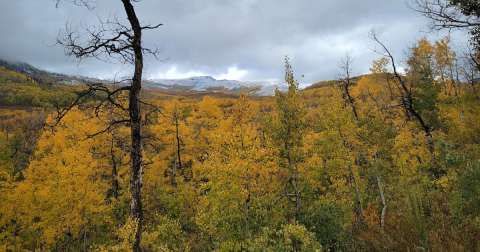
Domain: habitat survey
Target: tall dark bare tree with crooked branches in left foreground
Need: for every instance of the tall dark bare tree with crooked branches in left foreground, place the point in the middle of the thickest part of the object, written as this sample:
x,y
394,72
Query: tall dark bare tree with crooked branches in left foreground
x,y
110,41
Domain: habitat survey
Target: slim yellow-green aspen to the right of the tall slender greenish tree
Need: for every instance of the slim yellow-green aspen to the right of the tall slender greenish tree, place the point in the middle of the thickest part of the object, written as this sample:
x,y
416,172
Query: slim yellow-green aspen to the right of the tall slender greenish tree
x,y
337,146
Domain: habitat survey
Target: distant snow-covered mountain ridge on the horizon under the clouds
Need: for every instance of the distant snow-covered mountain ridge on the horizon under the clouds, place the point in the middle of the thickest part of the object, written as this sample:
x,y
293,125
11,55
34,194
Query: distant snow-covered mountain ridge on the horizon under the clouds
x,y
207,83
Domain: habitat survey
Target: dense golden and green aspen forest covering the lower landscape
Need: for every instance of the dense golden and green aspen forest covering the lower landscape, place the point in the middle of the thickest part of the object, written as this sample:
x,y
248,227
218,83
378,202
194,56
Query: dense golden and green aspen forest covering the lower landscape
x,y
391,163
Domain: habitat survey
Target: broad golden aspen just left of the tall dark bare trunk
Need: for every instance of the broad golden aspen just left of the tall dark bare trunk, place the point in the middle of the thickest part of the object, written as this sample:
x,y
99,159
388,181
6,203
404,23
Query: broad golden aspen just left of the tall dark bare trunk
x,y
63,194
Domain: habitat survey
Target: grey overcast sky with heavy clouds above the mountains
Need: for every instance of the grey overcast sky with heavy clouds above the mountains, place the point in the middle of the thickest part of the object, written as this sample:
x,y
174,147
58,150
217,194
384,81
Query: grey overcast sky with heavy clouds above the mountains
x,y
225,39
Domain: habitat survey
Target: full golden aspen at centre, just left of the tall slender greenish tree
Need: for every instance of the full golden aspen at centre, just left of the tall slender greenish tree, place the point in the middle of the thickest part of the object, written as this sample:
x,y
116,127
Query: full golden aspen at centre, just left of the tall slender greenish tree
x,y
240,184
